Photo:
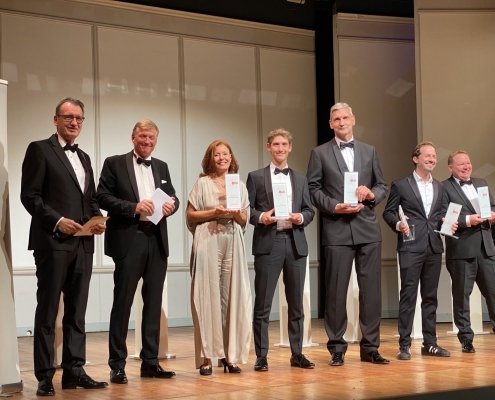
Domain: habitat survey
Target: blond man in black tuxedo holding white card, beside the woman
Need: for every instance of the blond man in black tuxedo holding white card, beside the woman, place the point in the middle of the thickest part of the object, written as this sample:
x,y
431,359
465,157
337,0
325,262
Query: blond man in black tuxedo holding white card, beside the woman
x,y
139,248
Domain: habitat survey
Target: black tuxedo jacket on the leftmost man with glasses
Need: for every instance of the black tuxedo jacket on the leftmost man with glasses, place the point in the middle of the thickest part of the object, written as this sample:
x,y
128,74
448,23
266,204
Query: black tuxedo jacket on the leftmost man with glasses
x,y
50,190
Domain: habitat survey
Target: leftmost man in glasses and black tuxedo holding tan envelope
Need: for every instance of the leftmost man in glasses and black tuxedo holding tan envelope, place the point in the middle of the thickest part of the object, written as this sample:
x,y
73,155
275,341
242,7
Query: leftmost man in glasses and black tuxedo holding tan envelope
x,y
57,190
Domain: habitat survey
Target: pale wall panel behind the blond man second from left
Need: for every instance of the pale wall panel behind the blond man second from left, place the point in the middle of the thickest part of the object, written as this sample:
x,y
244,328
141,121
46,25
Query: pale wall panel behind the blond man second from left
x,y
139,78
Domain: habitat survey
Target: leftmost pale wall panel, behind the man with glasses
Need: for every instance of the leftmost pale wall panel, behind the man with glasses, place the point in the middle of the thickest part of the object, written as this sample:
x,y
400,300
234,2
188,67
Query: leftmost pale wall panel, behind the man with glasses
x,y
44,61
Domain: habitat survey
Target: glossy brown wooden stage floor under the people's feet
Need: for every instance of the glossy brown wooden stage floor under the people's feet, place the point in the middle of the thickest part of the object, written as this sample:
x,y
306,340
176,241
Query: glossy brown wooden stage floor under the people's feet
x,y
466,376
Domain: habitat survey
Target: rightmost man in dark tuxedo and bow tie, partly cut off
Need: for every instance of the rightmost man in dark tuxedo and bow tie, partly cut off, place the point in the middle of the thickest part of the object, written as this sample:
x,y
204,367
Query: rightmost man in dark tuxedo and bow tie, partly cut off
x,y
471,258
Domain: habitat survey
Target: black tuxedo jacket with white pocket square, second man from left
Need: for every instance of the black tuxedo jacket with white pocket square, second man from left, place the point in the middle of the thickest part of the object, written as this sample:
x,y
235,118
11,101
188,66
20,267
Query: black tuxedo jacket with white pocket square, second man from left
x,y
118,194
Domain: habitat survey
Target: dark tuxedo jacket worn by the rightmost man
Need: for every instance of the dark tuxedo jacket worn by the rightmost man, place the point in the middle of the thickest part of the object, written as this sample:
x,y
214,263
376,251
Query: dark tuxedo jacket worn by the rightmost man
x,y
470,239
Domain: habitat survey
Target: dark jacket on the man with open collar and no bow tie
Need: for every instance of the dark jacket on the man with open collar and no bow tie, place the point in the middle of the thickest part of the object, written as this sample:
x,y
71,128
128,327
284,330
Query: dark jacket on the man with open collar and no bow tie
x,y
405,192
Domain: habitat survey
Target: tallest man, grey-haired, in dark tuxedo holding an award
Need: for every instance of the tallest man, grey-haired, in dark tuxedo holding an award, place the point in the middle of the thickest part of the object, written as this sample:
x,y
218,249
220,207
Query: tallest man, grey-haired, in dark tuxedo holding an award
x,y
349,233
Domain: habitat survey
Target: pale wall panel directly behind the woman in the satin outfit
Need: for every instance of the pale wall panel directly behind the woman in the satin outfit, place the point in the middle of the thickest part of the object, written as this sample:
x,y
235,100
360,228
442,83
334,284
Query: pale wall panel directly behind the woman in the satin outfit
x,y
221,100
